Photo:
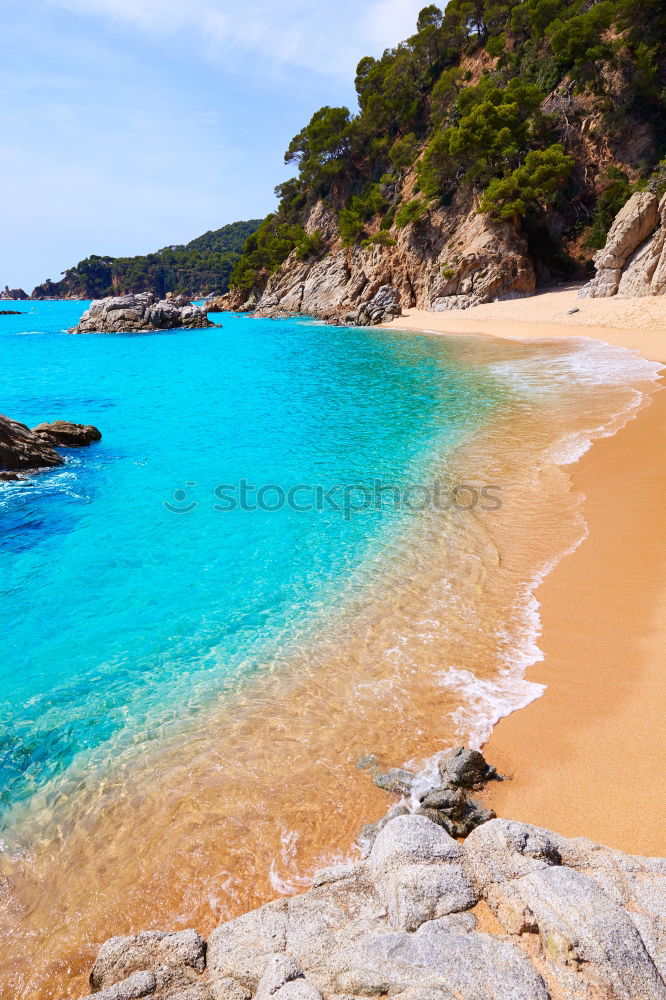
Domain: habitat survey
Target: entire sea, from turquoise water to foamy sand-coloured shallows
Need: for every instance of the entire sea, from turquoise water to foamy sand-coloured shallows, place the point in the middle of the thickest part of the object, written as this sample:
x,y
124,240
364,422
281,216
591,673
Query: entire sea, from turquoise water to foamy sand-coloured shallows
x,y
185,694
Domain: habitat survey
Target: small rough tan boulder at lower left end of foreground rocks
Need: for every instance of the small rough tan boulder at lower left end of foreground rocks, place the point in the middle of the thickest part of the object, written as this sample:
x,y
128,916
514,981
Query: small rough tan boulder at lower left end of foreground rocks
x,y
151,950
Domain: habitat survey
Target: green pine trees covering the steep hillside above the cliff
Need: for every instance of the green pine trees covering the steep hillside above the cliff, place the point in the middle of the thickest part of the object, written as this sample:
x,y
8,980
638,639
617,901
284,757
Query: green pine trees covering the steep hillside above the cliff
x,y
542,113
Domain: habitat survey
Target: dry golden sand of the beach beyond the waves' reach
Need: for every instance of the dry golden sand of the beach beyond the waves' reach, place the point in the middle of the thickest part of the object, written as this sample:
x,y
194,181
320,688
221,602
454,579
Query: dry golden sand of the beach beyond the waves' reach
x,y
586,757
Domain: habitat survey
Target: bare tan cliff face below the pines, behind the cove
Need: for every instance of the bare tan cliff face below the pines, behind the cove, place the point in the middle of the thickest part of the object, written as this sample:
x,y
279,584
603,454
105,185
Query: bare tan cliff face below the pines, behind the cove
x,y
452,258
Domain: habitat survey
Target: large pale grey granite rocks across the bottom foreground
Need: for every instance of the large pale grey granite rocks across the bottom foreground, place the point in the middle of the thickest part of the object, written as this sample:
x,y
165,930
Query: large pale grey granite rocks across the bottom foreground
x,y
571,920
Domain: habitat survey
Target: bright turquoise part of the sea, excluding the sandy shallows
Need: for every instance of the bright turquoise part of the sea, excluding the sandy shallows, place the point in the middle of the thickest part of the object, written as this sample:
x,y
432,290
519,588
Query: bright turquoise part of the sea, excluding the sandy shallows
x,y
121,614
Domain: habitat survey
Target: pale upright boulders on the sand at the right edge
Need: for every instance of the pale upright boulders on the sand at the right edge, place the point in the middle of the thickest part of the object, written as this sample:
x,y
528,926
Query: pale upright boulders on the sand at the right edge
x,y
633,261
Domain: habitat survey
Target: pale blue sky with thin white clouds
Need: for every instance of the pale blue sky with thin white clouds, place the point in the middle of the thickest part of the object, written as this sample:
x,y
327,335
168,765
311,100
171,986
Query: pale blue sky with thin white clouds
x,y
129,125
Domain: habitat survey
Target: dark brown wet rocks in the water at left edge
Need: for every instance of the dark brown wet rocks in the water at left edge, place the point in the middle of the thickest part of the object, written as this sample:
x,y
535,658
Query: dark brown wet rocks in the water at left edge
x,y
23,450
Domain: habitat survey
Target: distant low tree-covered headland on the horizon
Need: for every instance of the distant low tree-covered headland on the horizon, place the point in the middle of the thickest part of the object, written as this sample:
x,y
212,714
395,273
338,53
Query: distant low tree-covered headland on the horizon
x,y
201,266
